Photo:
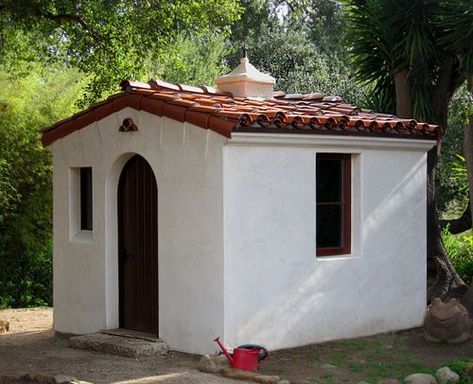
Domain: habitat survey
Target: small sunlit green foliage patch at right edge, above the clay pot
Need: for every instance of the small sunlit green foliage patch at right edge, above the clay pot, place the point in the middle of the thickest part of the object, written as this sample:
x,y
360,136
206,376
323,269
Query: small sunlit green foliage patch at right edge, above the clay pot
x,y
460,250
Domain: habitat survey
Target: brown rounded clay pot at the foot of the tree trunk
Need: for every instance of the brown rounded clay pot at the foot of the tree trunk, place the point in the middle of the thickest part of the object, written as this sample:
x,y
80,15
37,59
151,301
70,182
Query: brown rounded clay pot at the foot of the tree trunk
x,y
447,322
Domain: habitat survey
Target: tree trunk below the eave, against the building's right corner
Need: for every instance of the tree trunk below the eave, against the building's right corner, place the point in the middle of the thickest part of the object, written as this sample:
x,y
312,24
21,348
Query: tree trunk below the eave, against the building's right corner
x,y
447,281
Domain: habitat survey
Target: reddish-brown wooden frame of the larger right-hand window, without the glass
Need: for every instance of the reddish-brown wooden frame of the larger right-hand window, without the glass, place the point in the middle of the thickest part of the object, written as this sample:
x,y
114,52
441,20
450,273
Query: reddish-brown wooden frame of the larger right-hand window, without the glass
x,y
346,205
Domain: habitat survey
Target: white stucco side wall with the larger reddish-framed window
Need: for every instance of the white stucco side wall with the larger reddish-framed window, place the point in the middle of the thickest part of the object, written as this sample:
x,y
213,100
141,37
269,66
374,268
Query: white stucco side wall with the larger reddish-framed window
x,y
277,292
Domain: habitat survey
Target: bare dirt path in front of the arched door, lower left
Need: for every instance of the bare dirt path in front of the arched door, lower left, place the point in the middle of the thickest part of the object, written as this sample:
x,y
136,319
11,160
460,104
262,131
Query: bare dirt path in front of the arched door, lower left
x,y
31,347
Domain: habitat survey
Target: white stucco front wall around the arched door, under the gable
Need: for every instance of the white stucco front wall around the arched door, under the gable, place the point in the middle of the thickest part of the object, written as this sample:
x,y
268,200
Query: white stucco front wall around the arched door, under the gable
x,y
187,163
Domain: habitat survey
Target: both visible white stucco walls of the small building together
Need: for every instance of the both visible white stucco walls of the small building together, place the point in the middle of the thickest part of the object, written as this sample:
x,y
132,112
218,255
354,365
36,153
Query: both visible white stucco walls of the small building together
x,y
237,235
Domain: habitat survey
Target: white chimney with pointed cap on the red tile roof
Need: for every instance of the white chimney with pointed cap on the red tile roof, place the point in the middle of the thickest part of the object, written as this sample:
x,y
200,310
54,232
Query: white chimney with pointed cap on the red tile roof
x,y
246,81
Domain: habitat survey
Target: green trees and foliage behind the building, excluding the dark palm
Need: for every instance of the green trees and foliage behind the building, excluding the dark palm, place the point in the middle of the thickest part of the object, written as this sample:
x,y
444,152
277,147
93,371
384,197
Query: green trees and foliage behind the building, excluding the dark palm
x,y
58,56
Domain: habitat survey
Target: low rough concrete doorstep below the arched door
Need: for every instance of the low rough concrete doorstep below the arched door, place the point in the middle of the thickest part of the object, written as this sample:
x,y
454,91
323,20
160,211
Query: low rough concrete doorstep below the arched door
x,y
121,343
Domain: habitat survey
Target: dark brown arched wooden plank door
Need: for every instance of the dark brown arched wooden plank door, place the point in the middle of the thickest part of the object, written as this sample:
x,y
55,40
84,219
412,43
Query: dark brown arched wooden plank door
x,y
138,246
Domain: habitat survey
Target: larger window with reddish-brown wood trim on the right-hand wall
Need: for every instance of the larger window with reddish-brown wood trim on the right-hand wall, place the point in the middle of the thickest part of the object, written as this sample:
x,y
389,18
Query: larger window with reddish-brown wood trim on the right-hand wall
x,y
333,204
